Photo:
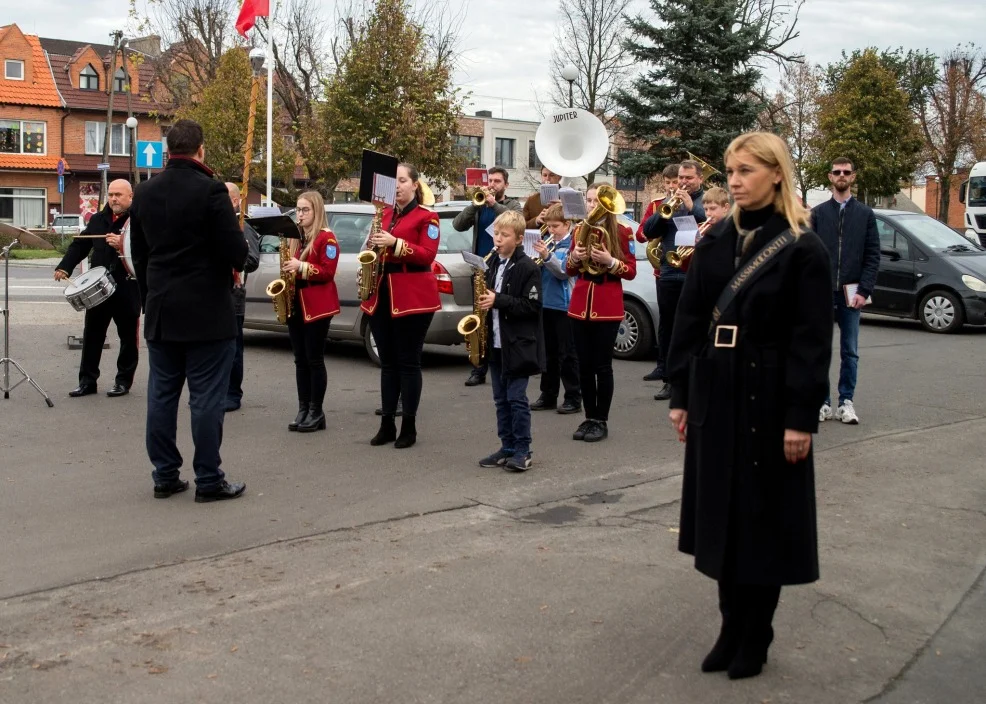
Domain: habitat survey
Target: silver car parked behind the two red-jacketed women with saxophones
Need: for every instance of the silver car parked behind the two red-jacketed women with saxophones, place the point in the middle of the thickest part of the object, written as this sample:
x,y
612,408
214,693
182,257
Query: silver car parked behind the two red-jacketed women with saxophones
x,y
351,224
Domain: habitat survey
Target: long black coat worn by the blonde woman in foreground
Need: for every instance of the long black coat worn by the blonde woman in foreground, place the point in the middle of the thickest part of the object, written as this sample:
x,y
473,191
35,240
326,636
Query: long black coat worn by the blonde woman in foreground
x,y
746,513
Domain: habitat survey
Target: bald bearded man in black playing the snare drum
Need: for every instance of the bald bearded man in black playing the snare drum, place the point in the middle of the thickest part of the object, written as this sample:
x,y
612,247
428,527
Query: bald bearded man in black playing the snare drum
x,y
123,307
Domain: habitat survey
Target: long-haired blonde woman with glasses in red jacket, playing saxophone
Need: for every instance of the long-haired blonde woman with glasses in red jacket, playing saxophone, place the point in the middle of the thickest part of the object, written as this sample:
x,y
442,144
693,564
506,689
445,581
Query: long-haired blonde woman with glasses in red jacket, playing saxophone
x,y
316,301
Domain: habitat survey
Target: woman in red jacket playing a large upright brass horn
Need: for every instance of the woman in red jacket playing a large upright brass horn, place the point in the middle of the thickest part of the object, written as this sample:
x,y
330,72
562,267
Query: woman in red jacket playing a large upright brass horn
x,y
597,307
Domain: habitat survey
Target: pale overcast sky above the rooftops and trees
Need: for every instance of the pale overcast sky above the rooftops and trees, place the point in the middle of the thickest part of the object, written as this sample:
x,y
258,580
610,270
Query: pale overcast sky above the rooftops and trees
x,y
506,44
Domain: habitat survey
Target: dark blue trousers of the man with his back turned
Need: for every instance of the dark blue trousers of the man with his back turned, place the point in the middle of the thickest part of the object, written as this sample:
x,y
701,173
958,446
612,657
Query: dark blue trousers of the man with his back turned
x,y
205,365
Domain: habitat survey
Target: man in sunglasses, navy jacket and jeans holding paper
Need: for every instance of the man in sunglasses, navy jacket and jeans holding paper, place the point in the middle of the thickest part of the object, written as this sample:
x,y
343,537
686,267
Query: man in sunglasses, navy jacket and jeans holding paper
x,y
848,229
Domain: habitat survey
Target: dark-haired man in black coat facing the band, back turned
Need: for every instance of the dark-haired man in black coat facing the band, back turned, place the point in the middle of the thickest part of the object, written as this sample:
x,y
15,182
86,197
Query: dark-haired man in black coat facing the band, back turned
x,y
186,243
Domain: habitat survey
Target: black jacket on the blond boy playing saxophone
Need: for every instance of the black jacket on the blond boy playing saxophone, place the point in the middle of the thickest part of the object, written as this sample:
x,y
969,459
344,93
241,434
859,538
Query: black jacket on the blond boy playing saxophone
x,y
519,308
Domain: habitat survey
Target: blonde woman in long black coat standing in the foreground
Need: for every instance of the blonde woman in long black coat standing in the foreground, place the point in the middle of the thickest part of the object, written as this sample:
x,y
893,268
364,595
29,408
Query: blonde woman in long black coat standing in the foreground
x,y
747,376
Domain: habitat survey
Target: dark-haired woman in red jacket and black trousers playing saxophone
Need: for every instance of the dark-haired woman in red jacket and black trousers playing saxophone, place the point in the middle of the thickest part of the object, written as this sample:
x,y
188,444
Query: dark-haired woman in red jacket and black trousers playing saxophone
x,y
403,303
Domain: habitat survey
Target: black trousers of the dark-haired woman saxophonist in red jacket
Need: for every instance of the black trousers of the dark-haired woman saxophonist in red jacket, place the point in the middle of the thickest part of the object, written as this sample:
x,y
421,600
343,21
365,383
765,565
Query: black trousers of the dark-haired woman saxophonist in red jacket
x,y
399,345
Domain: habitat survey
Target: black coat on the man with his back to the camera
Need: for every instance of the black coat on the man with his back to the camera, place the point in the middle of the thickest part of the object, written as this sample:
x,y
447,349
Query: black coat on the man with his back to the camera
x,y
186,241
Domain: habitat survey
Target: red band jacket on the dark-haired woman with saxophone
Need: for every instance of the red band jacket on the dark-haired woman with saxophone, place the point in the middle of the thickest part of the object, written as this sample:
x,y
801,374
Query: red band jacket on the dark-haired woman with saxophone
x,y
408,285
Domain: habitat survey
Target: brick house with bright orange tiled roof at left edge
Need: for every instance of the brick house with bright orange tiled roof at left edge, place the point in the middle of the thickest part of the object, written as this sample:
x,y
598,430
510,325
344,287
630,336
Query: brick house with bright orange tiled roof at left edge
x,y
31,114
